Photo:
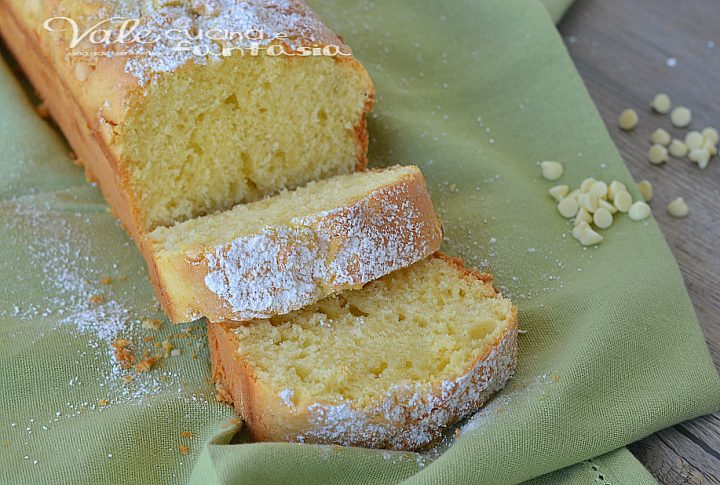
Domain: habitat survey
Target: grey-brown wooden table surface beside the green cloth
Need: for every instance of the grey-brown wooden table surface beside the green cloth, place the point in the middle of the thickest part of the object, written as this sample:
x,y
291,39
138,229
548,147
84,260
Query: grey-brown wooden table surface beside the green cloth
x,y
627,51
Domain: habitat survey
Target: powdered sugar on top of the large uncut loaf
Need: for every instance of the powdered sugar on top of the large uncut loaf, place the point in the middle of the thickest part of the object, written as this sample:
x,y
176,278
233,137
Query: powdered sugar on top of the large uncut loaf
x,y
290,22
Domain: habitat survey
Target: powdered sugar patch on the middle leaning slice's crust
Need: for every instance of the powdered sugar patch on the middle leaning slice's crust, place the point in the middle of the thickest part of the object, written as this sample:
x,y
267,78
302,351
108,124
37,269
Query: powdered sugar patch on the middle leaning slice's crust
x,y
285,268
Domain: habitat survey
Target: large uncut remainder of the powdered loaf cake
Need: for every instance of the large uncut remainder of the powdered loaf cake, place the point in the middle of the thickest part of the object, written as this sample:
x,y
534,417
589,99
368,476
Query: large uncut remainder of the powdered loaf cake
x,y
174,128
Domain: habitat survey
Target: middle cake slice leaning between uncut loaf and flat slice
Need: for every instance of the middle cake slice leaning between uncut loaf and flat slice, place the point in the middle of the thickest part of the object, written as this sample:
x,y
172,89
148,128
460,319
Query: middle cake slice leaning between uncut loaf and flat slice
x,y
282,253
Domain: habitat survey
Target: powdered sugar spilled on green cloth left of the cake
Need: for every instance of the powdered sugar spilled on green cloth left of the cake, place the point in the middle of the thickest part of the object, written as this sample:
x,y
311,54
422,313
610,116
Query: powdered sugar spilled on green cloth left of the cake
x,y
70,270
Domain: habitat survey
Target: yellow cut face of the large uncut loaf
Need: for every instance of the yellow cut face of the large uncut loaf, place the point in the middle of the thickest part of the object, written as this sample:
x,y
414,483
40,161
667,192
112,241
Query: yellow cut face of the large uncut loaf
x,y
215,135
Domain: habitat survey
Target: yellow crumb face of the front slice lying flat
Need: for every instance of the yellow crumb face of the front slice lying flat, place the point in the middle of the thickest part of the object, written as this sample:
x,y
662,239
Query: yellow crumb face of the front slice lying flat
x,y
419,326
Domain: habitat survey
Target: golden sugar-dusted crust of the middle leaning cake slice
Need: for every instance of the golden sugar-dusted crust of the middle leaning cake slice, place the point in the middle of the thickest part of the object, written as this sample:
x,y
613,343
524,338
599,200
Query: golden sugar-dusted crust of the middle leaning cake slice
x,y
392,227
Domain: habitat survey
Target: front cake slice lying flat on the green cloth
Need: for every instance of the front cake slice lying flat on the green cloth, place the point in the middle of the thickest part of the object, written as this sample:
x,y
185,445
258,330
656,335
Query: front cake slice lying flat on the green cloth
x,y
386,366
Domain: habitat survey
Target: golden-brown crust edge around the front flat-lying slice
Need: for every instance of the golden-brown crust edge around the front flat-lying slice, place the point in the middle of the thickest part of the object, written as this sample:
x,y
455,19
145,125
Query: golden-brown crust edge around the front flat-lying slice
x,y
403,421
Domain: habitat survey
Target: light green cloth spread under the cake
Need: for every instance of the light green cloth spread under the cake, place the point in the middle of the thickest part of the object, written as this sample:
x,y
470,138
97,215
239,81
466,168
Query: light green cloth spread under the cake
x,y
612,353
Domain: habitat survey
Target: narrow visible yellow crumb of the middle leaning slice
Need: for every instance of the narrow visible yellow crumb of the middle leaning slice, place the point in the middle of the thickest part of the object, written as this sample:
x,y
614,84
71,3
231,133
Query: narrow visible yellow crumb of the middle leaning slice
x,y
314,198
